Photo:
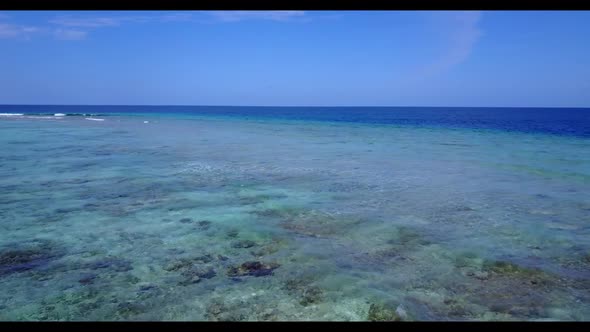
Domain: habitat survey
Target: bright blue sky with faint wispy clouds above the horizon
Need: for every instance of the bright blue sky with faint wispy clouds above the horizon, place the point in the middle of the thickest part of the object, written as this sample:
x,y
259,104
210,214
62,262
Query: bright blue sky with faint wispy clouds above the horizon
x,y
296,58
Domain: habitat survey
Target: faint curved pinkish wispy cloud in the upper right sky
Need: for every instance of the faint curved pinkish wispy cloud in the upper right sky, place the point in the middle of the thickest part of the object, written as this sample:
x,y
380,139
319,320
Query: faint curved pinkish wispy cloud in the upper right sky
x,y
462,33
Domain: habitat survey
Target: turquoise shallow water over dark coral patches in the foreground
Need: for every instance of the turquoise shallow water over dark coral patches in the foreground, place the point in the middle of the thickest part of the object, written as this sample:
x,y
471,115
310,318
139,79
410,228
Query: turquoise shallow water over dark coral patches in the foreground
x,y
209,218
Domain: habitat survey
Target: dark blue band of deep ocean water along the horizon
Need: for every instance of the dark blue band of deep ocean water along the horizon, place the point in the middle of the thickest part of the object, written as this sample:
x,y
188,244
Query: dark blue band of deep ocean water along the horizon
x,y
561,121
